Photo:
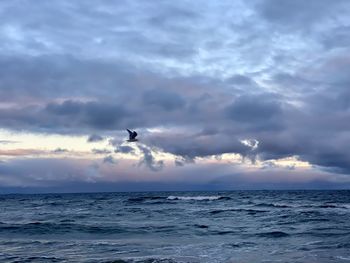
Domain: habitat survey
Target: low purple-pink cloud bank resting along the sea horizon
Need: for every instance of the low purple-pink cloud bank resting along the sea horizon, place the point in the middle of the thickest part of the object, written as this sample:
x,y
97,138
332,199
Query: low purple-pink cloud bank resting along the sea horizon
x,y
80,174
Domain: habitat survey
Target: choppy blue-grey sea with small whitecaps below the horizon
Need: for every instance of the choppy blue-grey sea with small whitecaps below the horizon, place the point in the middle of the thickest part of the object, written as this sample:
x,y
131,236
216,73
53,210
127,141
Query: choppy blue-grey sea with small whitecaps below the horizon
x,y
237,226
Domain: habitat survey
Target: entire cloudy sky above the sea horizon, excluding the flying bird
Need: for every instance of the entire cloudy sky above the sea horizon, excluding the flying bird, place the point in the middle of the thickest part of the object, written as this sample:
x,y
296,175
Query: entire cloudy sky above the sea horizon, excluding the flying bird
x,y
223,94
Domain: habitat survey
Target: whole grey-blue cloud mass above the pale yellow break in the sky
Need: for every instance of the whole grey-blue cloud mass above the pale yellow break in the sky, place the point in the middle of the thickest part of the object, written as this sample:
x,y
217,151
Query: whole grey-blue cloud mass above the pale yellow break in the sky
x,y
141,66
